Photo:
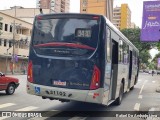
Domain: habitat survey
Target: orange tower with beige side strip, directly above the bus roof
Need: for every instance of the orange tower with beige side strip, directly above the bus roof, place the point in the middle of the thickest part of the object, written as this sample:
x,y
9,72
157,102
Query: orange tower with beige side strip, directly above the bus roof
x,y
103,7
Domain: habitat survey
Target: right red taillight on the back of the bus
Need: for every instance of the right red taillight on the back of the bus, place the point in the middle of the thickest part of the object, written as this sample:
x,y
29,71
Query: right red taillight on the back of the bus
x,y
95,83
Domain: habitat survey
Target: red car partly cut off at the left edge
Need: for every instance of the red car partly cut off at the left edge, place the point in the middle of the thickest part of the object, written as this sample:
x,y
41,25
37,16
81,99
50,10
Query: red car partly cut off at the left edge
x,y
8,84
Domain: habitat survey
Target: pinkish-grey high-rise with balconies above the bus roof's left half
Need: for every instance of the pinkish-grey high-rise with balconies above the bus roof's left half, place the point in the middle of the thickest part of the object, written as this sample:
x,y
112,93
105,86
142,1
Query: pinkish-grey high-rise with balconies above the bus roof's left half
x,y
55,6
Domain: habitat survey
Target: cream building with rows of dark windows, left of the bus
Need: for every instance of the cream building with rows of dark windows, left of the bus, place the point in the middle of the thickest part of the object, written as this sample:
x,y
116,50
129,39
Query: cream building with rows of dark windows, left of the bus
x,y
14,43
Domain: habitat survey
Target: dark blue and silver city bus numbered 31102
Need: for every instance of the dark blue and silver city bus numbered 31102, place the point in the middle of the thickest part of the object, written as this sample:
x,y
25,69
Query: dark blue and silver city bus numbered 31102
x,y
80,57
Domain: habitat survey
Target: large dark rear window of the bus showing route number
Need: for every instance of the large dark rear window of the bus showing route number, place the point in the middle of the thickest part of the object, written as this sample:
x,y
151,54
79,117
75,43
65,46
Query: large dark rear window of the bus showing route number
x,y
65,36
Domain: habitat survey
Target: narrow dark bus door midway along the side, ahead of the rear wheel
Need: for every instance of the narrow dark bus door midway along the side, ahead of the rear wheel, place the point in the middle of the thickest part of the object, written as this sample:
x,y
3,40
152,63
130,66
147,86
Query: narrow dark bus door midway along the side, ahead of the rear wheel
x,y
130,69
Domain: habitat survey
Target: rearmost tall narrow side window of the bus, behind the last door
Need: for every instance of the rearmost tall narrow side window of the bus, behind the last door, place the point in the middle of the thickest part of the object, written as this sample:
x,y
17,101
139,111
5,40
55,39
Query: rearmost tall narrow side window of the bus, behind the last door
x,y
108,37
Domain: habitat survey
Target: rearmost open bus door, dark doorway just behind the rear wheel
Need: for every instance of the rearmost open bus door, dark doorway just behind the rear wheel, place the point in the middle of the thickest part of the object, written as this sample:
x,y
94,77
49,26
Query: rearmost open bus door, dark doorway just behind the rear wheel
x,y
114,70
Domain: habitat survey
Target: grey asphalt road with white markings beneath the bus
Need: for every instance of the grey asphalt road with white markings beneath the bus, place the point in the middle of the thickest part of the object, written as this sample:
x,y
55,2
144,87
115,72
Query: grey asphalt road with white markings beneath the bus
x,y
142,98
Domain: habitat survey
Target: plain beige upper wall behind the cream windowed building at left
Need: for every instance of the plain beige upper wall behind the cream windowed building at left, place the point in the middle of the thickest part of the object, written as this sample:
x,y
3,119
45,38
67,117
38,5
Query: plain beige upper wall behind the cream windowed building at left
x,y
26,14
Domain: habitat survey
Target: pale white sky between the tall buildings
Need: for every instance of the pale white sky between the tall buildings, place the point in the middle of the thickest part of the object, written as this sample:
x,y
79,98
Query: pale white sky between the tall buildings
x,y
135,6
